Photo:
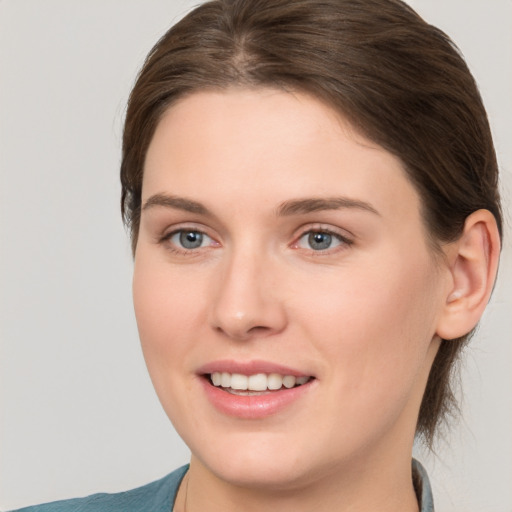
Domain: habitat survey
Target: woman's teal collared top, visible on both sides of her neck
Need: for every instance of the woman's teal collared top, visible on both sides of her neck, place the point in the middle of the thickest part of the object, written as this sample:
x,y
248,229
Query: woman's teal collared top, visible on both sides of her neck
x,y
159,496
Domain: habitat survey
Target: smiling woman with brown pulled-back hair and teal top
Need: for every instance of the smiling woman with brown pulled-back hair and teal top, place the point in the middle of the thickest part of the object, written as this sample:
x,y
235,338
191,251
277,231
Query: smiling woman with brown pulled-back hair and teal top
x,y
311,189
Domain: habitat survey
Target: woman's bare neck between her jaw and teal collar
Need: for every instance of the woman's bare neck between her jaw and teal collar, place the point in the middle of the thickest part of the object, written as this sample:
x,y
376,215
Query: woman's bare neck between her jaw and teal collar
x,y
359,488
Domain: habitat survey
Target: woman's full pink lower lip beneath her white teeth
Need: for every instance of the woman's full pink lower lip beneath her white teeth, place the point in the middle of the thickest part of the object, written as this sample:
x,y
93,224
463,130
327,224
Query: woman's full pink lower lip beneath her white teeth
x,y
254,406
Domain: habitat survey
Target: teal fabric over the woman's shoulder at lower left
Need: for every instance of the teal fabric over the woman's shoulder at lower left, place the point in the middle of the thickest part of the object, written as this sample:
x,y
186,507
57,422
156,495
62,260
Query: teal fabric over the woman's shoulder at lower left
x,y
156,496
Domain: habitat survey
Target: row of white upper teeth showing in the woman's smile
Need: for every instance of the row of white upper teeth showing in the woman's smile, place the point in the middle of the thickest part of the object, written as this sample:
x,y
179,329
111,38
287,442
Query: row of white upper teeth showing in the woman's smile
x,y
256,382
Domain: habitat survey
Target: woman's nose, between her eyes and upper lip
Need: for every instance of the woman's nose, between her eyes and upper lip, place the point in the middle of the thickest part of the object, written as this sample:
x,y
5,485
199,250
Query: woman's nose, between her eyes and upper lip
x,y
246,301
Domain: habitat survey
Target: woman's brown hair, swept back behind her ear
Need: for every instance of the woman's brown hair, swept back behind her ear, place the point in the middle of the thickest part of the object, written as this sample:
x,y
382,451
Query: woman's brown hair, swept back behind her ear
x,y
400,81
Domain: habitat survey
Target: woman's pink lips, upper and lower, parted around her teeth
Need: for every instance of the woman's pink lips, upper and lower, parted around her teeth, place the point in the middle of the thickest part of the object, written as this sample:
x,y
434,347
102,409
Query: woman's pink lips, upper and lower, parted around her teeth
x,y
254,406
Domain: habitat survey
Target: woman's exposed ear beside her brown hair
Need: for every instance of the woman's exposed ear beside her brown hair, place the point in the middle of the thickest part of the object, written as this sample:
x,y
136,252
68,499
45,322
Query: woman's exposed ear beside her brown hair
x,y
473,264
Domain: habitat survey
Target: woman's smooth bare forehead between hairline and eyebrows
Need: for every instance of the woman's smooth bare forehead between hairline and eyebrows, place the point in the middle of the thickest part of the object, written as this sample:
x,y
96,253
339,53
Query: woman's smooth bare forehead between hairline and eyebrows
x,y
270,145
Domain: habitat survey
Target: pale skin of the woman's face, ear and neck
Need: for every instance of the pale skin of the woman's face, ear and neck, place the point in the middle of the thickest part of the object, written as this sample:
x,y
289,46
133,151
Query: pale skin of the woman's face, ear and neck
x,y
362,312
